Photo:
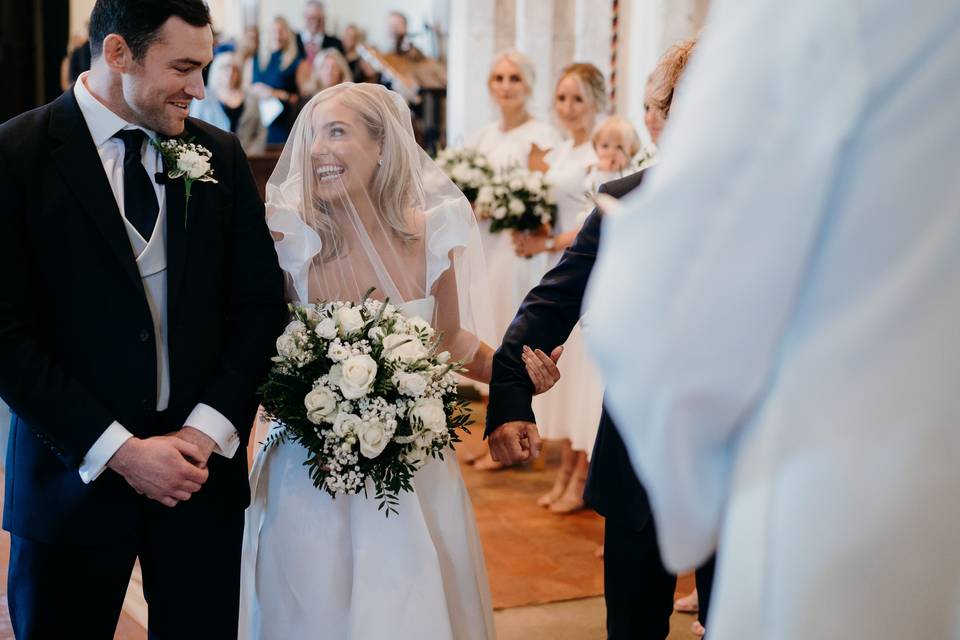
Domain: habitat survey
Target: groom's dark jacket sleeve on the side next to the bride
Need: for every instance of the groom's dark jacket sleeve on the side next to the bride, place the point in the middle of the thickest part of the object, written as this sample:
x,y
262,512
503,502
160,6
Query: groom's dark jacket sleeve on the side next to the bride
x,y
256,310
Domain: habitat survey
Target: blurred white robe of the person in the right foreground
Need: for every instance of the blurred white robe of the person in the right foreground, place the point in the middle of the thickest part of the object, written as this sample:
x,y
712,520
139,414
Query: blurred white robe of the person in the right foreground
x,y
776,313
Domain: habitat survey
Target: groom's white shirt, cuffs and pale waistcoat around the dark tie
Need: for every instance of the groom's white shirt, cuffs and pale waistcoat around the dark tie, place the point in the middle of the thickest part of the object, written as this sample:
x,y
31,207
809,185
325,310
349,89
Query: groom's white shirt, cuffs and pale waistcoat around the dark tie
x,y
151,262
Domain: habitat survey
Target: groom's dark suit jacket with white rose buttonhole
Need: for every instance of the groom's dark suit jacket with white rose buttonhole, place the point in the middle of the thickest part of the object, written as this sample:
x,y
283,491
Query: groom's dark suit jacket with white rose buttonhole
x,y
77,347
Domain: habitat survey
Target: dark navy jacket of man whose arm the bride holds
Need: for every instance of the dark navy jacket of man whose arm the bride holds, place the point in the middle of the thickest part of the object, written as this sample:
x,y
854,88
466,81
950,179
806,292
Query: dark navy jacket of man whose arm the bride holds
x,y
545,320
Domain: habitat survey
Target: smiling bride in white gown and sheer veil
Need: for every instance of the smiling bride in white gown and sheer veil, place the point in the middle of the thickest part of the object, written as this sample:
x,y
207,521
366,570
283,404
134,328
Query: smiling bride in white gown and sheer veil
x,y
354,203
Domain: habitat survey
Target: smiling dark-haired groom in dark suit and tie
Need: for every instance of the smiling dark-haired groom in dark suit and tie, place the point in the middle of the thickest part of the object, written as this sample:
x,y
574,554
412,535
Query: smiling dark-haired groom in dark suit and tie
x,y
135,327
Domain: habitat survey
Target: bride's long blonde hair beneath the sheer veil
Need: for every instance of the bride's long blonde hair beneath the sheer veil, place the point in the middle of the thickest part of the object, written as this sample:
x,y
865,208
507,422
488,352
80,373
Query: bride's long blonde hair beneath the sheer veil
x,y
396,183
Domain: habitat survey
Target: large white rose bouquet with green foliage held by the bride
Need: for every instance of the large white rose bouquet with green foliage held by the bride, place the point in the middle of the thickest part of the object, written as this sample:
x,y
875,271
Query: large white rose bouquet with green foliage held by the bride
x,y
364,390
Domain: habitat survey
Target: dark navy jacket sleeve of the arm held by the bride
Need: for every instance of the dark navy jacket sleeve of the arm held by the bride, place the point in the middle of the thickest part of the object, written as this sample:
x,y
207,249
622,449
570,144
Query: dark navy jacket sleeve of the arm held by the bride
x,y
544,321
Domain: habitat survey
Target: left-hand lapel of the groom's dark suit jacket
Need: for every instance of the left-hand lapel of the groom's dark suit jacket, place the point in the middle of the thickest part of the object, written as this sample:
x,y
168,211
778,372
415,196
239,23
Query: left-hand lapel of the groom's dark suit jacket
x,y
82,169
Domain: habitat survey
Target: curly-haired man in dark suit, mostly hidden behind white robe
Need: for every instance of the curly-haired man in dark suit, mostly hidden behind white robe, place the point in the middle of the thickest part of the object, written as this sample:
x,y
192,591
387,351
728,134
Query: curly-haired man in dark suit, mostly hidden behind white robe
x,y
638,589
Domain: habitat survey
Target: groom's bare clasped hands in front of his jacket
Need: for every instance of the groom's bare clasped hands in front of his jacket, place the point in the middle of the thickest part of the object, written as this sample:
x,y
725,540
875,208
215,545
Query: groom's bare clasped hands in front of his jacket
x,y
168,468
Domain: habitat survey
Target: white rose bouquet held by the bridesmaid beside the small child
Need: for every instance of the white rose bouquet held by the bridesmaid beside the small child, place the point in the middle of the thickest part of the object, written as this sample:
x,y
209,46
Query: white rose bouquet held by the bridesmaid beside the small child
x,y
517,199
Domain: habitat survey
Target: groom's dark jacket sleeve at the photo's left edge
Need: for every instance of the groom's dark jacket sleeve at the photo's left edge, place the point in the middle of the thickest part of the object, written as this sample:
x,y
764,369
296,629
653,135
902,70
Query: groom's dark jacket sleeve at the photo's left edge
x,y
31,380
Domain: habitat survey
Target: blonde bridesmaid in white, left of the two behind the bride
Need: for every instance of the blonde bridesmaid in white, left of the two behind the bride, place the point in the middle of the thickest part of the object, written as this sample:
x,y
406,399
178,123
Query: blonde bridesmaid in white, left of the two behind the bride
x,y
509,140
